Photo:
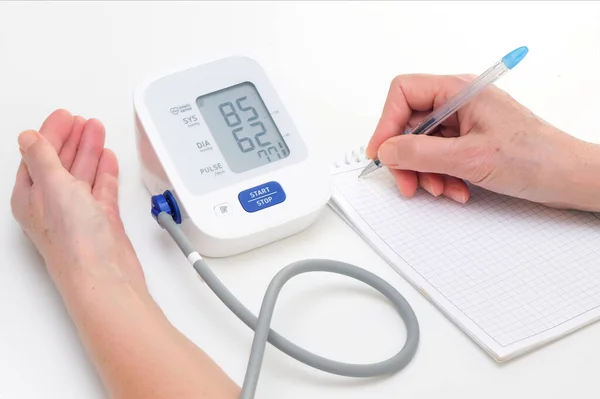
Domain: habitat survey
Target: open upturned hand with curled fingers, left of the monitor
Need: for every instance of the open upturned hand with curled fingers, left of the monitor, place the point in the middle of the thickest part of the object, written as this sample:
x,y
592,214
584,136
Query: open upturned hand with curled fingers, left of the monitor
x,y
66,200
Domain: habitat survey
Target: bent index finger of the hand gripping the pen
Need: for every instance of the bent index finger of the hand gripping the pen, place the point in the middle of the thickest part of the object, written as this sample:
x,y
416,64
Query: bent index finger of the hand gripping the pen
x,y
409,93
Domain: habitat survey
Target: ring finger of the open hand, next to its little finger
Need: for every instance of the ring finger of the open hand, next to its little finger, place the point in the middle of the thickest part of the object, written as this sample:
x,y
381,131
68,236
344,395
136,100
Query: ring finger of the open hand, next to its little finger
x,y
89,151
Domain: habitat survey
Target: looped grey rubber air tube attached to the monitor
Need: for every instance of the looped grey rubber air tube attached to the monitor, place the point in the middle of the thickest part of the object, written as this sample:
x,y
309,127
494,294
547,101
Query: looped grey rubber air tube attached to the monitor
x,y
261,325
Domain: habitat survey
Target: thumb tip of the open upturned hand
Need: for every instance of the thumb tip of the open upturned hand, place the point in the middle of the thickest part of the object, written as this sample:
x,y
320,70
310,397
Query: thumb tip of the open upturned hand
x,y
39,155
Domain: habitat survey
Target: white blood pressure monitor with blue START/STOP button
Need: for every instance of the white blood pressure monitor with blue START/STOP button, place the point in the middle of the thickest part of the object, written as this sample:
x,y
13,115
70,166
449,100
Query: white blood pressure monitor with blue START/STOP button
x,y
218,137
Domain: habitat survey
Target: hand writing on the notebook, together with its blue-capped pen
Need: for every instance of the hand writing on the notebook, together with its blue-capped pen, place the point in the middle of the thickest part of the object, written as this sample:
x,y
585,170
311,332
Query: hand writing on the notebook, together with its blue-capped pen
x,y
490,140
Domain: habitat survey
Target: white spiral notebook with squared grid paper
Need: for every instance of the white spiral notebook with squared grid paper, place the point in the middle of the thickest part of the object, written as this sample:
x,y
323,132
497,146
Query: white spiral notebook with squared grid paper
x,y
512,274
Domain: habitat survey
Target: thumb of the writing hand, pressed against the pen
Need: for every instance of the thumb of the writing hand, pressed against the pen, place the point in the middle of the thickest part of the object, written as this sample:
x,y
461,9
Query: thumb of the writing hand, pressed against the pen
x,y
429,154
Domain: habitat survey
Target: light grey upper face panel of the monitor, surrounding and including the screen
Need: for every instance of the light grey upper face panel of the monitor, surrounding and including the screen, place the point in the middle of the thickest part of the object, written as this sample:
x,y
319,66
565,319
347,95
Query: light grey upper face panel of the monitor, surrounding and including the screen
x,y
222,123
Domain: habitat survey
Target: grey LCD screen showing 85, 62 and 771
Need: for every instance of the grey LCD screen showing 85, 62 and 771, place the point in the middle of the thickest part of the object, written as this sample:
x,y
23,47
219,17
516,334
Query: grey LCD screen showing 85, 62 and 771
x,y
242,127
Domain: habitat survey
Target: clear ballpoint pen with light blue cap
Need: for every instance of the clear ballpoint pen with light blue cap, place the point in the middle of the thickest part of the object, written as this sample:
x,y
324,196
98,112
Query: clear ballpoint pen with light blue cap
x,y
427,125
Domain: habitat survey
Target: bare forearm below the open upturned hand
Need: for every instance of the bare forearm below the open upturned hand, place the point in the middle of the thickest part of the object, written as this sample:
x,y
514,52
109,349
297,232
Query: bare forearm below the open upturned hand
x,y
137,352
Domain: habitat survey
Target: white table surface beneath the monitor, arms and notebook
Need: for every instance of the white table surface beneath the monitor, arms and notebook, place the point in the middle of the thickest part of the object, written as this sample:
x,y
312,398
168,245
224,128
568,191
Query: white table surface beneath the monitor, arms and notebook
x,y
332,64
